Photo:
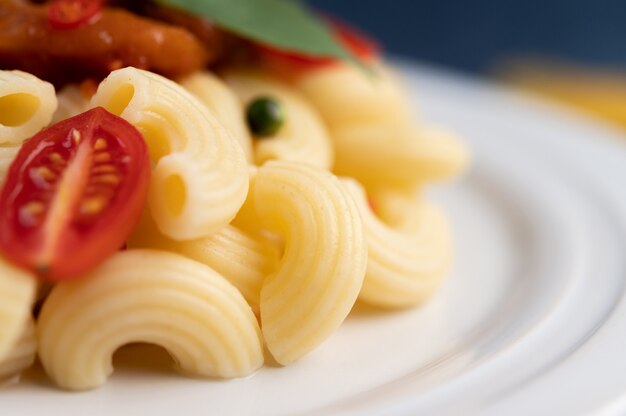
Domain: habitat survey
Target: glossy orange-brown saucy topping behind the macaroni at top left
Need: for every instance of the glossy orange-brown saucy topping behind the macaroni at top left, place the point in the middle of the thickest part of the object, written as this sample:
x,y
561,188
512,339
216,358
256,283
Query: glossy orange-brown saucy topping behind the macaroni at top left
x,y
118,39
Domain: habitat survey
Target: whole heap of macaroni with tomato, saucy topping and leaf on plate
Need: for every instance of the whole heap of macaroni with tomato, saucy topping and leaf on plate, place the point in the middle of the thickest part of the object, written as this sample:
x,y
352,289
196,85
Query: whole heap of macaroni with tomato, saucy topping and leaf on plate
x,y
177,174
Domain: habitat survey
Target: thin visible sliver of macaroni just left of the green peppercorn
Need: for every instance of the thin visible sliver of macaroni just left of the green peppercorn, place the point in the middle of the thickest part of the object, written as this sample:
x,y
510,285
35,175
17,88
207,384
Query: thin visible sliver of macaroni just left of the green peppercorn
x,y
225,105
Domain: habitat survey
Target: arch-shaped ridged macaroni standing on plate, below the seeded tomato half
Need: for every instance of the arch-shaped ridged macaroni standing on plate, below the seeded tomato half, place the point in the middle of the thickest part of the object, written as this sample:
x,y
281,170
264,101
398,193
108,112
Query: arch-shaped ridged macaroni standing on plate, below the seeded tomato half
x,y
149,296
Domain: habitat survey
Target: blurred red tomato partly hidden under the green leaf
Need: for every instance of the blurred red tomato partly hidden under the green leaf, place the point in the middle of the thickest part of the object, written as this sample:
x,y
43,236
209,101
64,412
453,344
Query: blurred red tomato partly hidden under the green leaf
x,y
363,47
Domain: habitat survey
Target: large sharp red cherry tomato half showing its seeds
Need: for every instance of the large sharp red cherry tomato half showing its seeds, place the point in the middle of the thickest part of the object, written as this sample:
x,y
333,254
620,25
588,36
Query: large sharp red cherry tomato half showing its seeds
x,y
73,194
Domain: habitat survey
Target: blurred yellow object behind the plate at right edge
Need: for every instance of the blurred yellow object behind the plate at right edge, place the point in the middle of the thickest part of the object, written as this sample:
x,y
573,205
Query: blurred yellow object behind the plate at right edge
x,y
601,92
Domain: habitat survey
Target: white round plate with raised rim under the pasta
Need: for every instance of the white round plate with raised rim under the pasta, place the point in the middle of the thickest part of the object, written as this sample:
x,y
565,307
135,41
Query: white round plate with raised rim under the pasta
x,y
531,321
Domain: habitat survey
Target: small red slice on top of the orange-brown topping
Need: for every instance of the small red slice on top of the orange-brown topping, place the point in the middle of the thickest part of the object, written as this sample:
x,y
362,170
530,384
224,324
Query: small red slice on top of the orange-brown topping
x,y
70,14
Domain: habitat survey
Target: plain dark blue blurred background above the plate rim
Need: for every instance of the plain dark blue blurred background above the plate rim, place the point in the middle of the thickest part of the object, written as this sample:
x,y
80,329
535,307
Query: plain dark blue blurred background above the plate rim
x,y
474,34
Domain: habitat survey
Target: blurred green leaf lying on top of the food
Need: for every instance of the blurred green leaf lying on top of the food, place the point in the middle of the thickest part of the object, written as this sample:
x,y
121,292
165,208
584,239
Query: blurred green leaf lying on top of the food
x,y
285,24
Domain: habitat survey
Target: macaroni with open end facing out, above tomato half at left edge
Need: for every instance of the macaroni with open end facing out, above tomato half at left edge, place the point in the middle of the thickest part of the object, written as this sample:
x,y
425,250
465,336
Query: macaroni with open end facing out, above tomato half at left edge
x,y
26,106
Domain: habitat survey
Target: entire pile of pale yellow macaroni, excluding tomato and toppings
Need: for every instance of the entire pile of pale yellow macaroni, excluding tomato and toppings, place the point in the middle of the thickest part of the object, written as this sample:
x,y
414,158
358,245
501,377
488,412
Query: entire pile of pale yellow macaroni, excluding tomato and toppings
x,y
245,241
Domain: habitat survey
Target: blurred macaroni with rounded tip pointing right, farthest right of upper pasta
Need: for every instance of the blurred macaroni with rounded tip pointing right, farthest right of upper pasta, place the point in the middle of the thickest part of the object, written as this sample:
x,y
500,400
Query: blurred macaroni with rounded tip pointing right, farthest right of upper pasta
x,y
397,156
